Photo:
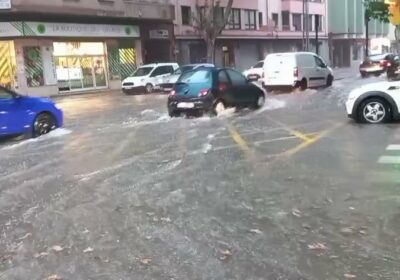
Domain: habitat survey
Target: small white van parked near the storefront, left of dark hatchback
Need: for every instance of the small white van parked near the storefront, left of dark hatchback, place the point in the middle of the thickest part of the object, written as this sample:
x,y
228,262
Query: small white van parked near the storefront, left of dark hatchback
x,y
148,77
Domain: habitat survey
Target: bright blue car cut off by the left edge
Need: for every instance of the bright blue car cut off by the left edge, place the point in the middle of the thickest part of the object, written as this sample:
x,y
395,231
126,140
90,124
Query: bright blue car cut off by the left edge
x,y
27,115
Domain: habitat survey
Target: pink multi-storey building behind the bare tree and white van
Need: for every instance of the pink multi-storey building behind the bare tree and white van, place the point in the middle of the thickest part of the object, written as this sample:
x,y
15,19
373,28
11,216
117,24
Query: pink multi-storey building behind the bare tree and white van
x,y
256,27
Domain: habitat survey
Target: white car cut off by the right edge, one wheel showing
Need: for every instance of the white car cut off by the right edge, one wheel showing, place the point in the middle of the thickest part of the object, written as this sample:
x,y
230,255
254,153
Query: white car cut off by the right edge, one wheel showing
x,y
375,103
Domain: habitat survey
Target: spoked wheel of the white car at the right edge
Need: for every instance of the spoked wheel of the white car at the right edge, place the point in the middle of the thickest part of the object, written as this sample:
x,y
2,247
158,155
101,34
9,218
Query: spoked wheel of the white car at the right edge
x,y
374,110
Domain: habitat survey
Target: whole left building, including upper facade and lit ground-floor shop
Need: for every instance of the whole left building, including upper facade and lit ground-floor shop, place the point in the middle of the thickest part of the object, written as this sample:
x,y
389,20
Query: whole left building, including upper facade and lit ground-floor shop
x,y
64,46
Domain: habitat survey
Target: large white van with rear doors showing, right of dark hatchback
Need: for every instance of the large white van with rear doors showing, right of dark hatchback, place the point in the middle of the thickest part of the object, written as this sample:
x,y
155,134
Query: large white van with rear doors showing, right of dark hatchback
x,y
297,69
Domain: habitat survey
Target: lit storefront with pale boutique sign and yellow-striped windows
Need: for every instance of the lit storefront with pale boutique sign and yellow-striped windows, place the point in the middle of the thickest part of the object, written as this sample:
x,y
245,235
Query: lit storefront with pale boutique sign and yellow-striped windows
x,y
43,59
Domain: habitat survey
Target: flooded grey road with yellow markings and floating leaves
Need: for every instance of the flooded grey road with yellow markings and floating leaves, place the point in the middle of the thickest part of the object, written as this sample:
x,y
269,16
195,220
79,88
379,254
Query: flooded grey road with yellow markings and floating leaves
x,y
292,191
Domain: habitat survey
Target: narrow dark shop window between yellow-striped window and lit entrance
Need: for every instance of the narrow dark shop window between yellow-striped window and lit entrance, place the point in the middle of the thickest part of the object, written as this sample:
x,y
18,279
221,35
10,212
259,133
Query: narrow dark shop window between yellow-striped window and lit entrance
x,y
33,66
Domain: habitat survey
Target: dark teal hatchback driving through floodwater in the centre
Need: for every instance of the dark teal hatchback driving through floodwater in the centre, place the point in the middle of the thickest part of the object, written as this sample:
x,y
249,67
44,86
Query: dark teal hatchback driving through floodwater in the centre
x,y
212,90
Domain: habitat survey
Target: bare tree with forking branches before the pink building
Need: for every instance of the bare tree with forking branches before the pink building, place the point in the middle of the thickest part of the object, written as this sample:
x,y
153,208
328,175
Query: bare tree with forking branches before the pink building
x,y
209,20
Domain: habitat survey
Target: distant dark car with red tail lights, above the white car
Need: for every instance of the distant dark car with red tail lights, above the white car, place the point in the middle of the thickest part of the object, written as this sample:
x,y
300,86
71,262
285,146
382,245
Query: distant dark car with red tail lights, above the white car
x,y
376,65
